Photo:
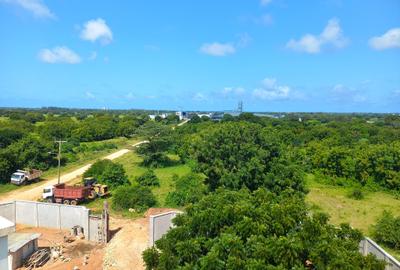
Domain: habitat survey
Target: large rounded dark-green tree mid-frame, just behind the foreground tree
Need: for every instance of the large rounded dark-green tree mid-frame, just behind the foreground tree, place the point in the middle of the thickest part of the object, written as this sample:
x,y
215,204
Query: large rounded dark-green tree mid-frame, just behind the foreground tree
x,y
241,154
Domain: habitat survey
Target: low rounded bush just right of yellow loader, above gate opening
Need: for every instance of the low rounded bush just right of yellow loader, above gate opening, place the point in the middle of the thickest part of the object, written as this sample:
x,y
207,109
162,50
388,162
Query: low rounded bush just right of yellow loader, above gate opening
x,y
137,197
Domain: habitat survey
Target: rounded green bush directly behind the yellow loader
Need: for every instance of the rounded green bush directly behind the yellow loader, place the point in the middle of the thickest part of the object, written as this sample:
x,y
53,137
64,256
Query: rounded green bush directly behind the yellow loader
x,y
107,172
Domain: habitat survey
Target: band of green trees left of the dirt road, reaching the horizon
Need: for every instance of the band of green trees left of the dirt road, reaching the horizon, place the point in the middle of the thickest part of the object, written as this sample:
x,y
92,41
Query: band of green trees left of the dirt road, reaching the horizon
x,y
27,138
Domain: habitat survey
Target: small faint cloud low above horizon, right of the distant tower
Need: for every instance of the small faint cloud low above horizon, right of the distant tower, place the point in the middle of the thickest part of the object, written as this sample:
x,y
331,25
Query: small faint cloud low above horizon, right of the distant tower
x,y
271,90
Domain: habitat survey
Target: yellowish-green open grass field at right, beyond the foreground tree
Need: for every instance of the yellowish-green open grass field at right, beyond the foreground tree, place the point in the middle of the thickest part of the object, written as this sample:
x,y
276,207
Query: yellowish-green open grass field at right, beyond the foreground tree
x,y
360,214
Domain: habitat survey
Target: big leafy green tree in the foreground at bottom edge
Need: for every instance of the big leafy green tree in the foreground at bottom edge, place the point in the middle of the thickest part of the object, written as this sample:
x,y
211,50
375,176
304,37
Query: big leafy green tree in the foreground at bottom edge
x,y
259,230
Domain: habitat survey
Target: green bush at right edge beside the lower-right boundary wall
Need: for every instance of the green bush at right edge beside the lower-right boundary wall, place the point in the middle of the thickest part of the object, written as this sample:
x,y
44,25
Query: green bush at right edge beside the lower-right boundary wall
x,y
387,230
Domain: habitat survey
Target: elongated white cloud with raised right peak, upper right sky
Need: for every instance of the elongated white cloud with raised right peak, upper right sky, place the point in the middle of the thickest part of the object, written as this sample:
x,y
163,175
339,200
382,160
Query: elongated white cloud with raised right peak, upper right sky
x,y
332,36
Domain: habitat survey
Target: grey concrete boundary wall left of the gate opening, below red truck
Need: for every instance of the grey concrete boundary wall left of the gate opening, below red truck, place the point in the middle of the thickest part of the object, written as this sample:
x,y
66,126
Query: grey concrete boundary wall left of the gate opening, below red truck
x,y
57,216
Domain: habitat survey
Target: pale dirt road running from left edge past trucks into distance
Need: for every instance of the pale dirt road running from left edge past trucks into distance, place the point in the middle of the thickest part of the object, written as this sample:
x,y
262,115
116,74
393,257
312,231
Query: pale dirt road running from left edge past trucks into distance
x,y
36,191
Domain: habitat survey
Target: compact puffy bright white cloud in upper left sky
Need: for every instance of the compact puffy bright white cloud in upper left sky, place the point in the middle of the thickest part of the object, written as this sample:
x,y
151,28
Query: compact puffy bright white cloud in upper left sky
x,y
97,30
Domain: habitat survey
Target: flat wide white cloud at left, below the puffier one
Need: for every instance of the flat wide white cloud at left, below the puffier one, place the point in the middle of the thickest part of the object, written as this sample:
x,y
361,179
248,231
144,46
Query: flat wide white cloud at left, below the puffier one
x,y
59,55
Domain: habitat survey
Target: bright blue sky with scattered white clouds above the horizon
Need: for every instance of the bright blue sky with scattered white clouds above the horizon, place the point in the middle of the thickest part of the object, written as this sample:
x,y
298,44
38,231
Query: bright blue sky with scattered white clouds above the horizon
x,y
275,55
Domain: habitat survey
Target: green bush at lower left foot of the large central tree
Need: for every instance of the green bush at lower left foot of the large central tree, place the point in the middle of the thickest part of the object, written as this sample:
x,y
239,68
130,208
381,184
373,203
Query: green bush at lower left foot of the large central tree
x,y
189,188
